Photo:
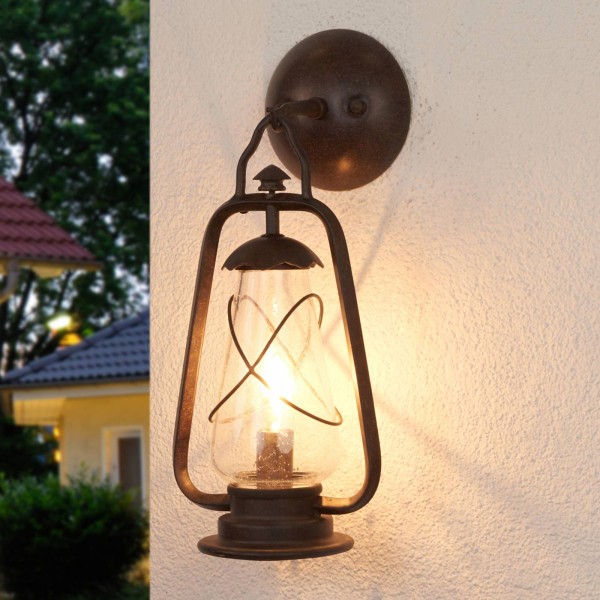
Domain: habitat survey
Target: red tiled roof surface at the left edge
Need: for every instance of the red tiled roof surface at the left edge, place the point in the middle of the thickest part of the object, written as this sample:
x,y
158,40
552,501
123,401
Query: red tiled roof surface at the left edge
x,y
29,234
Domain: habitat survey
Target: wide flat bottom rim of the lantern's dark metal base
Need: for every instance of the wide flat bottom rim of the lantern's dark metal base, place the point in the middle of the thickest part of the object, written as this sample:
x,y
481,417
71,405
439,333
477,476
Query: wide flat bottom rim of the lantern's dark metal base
x,y
335,544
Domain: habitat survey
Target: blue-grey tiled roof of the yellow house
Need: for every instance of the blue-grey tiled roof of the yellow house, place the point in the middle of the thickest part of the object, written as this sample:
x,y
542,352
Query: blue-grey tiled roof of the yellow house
x,y
118,353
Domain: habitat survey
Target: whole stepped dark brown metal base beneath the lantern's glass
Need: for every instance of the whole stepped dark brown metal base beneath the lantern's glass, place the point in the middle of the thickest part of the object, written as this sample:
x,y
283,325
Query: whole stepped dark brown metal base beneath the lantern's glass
x,y
275,524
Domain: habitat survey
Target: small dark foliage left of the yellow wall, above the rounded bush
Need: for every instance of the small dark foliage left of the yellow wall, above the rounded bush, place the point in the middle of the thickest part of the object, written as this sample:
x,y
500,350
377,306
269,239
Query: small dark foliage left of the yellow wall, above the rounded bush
x,y
25,450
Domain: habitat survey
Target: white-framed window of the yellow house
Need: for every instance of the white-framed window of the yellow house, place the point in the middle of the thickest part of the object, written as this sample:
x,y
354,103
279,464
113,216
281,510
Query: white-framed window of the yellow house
x,y
123,462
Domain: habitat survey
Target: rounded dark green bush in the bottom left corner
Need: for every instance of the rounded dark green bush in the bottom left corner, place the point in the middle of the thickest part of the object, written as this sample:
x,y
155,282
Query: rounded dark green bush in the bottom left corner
x,y
57,541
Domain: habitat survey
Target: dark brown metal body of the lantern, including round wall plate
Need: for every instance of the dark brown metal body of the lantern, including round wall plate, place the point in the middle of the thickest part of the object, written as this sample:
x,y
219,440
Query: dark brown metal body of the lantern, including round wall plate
x,y
343,103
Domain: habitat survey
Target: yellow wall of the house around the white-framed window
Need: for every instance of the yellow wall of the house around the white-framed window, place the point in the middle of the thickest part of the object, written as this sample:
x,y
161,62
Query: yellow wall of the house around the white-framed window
x,y
83,422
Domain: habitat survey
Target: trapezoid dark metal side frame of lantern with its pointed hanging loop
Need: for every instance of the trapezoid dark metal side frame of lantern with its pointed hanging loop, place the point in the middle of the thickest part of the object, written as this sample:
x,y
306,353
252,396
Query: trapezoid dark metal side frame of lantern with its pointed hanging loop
x,y
241,202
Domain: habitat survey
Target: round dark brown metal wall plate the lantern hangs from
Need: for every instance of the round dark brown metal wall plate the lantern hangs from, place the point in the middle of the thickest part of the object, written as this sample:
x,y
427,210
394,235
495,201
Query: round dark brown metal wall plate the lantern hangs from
x,y
368,107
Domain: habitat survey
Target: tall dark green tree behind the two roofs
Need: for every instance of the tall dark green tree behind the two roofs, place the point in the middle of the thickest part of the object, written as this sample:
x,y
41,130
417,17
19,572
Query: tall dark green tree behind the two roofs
x,y
74,137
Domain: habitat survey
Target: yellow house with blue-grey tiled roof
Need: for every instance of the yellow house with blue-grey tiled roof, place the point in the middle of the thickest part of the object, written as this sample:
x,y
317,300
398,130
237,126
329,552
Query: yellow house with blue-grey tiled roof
x,y
96,396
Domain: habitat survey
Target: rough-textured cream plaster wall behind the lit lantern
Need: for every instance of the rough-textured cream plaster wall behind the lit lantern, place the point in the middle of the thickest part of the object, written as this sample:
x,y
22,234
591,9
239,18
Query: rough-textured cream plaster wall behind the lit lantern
x,y
477,258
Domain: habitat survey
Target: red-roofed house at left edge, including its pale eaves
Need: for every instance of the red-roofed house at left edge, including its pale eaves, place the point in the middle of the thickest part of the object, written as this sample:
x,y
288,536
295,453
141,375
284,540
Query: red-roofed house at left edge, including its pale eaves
x,y
31,239
